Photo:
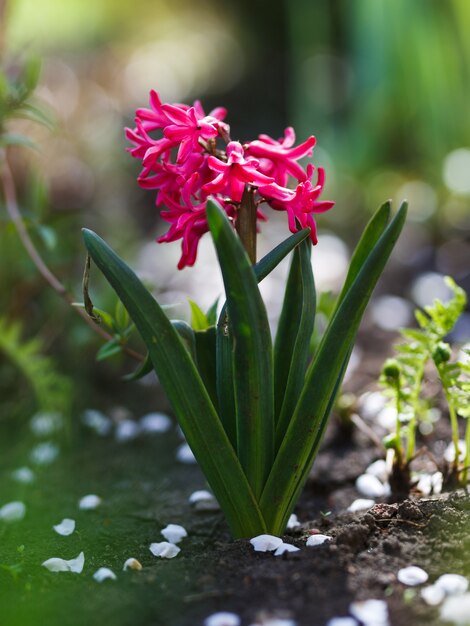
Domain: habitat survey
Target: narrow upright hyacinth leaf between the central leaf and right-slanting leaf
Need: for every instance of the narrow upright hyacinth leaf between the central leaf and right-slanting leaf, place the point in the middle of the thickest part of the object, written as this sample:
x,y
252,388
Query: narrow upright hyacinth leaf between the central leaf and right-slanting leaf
x,y
292,346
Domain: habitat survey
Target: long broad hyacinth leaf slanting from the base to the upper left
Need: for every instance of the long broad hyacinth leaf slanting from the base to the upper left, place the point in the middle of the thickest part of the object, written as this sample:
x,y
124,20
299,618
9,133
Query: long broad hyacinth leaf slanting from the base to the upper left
x,y
186,392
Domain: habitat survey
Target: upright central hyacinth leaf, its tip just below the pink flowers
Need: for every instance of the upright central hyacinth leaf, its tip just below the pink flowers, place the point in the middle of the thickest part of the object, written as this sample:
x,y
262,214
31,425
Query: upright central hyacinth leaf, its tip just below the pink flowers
x,y
252,351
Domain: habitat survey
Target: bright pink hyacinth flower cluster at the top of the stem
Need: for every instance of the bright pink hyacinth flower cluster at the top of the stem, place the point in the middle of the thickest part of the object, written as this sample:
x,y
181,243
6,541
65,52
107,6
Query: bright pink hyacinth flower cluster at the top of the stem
x,y
193,159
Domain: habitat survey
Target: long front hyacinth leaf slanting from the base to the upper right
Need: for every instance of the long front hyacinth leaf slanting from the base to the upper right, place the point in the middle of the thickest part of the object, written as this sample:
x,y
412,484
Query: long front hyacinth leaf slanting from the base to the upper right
x,y
308,423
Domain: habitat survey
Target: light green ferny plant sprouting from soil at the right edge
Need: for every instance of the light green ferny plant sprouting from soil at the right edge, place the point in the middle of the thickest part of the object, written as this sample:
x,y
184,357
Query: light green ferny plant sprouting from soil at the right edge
x,y
403,378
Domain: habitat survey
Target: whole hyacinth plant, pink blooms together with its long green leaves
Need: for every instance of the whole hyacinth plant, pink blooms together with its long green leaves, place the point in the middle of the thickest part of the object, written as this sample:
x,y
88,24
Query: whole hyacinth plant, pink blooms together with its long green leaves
x,y
253,407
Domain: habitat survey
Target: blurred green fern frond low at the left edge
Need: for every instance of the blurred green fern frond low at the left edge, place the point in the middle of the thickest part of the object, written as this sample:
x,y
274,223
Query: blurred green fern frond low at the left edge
x,y
52,390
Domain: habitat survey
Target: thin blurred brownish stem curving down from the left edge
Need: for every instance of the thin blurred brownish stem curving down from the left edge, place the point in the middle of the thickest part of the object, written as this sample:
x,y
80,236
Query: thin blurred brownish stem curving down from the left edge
x,y
9,192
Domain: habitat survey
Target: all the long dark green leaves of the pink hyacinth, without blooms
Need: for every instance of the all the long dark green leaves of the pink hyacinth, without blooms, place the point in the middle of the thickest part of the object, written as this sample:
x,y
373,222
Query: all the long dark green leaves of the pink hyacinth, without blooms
x,y
255,463
